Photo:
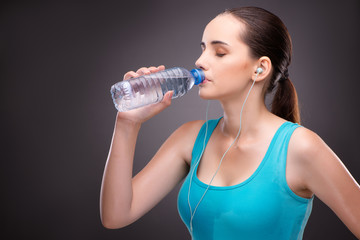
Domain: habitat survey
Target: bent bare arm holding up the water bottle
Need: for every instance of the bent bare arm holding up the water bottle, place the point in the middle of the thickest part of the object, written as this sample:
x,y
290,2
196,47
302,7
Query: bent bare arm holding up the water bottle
x,y
123,198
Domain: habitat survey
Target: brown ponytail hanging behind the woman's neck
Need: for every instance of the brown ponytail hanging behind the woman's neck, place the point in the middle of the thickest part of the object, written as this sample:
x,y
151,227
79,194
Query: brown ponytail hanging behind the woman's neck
x,y
285,101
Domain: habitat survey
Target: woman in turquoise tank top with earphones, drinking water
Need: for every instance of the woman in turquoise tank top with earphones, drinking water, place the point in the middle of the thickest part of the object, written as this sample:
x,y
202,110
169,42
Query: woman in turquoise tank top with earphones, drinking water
x,y
255,185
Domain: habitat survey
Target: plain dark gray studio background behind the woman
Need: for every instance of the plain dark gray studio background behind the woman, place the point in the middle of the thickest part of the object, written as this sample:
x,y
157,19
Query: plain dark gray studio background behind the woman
x,y
58,60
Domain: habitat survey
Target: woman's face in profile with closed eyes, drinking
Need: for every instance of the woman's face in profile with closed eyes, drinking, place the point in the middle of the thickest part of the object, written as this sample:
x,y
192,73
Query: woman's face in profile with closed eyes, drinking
x,y
225,59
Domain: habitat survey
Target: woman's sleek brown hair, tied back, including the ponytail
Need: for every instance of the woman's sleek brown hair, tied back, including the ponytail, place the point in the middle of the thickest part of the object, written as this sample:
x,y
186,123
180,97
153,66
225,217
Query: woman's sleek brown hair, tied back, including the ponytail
x,y
266,35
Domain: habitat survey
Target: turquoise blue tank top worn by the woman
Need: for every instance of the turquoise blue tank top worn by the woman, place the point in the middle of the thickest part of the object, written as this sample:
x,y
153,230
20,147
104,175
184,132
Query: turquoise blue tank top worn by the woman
x,y
261,207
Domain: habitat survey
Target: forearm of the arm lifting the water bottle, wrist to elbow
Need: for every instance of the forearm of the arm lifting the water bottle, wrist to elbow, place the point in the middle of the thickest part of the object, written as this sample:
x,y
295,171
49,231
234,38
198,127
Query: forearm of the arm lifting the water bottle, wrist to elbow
x,y
116,189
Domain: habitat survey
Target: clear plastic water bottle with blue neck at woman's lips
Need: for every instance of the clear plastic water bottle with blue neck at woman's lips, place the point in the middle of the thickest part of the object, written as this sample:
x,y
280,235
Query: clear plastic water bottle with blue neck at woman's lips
x,y
148,89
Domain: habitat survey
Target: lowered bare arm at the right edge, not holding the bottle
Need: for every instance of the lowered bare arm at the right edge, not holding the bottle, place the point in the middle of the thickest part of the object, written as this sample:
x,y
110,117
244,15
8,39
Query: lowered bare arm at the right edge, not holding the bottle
x,y
327,177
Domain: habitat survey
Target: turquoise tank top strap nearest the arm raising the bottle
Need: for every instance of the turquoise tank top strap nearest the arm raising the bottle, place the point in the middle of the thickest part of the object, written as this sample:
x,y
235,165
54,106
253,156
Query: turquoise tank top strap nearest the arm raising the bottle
x,y
201,142
